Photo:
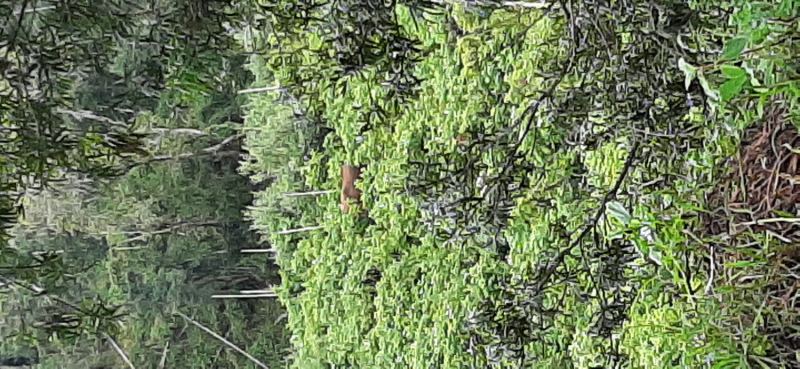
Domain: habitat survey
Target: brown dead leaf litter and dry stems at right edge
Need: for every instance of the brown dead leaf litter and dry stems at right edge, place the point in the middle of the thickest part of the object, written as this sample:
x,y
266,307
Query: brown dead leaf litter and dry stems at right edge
x,y
760,197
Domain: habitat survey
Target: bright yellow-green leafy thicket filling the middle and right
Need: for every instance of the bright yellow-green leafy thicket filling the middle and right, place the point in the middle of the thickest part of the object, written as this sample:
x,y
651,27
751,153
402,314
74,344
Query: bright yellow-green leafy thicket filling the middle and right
x,y
537,201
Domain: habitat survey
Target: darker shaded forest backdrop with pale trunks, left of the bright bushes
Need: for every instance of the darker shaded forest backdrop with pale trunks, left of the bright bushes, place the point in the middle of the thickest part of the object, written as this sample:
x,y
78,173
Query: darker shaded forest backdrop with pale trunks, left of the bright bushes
x,y
121,143
